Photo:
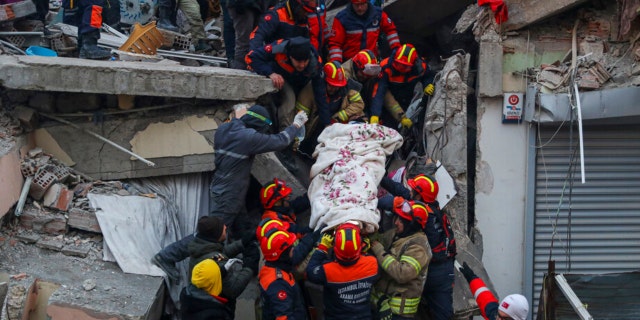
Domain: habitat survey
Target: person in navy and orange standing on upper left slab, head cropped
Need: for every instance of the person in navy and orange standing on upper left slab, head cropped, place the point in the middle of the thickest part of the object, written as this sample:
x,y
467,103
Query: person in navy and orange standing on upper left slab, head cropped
x,y
87,16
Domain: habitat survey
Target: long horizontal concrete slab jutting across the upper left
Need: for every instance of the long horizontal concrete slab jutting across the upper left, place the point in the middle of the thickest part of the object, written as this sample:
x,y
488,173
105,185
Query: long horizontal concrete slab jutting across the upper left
x,y
139,78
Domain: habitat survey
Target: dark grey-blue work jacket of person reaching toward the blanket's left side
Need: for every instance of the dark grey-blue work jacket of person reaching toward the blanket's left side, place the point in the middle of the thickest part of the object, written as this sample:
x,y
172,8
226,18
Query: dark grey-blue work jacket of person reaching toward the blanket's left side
x,y
235,147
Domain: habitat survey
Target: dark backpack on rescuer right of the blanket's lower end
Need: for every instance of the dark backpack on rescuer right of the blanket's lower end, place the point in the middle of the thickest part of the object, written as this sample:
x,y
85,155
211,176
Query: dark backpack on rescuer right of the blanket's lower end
x,y
440,235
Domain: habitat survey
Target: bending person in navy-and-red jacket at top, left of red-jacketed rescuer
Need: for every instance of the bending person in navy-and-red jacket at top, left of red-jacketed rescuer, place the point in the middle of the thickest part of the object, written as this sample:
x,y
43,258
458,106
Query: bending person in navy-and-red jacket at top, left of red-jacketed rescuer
x,y
292,18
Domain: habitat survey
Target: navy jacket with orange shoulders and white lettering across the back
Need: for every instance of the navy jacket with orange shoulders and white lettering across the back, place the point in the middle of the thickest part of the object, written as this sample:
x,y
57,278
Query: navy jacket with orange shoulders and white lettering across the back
x,y
347,288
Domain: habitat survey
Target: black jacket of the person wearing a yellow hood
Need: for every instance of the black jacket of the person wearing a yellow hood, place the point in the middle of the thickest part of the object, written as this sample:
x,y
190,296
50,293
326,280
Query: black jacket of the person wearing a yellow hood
x,y
197,304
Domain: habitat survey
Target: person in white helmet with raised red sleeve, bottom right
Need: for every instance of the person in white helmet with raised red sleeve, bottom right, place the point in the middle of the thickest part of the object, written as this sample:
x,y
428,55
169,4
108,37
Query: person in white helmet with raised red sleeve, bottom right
x,y
514,306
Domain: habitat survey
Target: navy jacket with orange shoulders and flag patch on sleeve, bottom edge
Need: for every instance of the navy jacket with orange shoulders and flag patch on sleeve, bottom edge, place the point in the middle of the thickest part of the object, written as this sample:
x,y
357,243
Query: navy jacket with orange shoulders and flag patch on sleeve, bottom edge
x,y
281,296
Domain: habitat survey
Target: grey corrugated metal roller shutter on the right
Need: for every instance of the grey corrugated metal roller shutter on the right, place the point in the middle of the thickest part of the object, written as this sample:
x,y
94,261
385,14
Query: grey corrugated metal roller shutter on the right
x,y
605,211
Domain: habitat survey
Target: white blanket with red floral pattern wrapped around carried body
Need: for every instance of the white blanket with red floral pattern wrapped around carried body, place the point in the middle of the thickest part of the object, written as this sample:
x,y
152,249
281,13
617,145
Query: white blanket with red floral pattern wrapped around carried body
x,y
350,162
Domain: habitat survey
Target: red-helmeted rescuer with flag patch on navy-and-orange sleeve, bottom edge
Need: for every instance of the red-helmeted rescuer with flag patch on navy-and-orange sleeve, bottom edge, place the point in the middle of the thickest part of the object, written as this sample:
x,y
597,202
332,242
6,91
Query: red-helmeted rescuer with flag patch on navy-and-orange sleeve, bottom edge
x,y
280,293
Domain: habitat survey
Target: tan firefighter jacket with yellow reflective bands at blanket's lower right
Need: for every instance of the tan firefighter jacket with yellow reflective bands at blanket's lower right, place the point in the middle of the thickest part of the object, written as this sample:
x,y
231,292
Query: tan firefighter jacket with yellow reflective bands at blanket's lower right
x,y
404,262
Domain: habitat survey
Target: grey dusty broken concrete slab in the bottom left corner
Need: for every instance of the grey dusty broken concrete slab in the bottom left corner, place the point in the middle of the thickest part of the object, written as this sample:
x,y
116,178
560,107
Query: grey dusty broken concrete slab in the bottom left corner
x,y
116,296
